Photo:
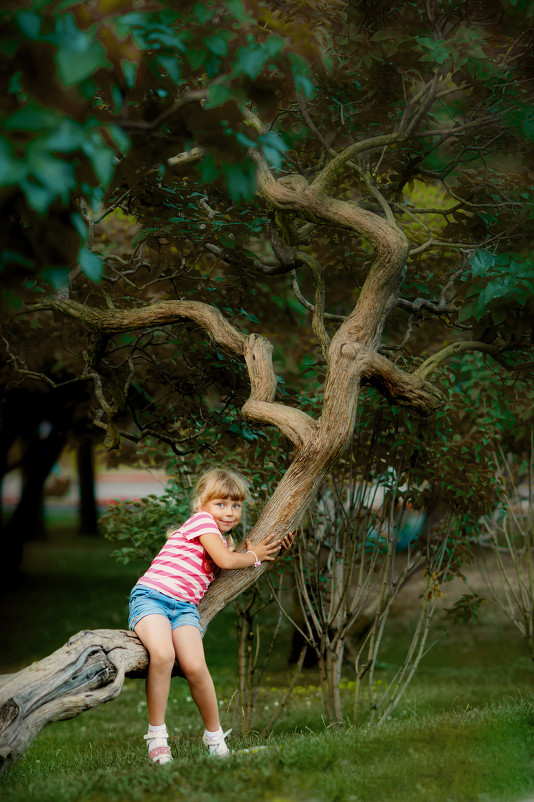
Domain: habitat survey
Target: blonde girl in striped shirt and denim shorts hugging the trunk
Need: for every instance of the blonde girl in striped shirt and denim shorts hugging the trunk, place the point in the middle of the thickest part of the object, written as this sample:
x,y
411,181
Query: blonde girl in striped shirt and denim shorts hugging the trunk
x,y
164,604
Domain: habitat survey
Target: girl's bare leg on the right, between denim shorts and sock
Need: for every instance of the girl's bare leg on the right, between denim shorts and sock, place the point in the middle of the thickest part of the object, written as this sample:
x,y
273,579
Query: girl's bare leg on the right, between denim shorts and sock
x,y
189,650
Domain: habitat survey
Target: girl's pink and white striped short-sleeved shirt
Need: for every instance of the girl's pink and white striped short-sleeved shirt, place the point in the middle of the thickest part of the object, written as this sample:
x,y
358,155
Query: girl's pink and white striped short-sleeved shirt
x,y
183,569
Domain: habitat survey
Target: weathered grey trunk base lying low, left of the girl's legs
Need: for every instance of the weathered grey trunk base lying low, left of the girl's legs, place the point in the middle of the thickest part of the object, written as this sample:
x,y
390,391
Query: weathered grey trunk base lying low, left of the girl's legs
x,y
84,673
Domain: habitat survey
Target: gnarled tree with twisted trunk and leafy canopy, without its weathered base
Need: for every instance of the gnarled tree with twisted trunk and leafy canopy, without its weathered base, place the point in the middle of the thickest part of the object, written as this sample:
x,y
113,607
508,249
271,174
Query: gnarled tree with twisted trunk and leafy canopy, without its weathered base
x,y
376,156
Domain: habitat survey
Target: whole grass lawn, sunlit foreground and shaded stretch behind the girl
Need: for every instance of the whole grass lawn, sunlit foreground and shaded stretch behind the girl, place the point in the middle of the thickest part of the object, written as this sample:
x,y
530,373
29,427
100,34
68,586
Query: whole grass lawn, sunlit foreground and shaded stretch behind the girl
x,y
464,730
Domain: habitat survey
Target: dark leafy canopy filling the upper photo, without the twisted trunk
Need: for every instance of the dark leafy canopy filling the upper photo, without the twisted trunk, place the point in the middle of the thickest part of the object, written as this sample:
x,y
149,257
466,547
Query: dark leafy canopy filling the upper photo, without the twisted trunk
x,y
90,180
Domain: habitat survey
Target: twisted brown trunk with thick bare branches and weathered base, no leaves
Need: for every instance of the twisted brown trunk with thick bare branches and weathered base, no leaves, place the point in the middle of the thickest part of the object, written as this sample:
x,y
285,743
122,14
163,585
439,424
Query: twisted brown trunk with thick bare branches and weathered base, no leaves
x,y
90,668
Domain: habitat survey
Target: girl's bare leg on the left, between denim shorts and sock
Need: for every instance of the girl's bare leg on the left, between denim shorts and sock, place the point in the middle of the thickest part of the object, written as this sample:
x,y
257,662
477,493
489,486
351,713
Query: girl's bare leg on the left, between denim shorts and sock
x,y
154,632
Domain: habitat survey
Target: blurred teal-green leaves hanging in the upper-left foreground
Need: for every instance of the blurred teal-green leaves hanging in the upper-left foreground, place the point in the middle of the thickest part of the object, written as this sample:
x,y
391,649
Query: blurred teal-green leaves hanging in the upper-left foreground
x,y
84,83
